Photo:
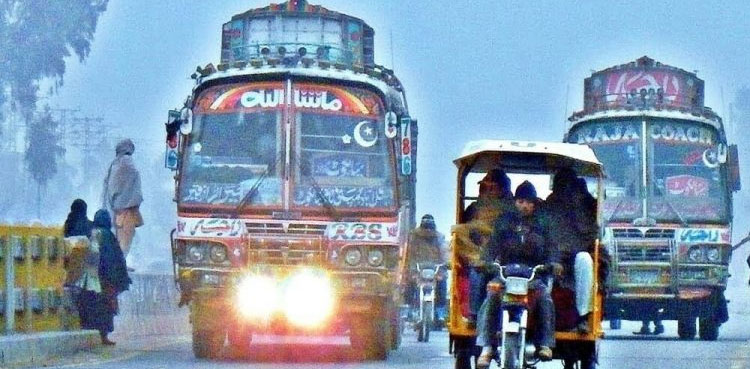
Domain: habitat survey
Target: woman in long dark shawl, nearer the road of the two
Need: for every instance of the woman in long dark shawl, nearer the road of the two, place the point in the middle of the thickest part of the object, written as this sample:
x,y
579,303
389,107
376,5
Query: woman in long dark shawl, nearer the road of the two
x,y
112,272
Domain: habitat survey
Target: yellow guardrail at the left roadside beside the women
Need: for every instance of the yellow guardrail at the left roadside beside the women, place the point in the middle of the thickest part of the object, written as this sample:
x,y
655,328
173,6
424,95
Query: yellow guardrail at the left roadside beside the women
x,y
31,283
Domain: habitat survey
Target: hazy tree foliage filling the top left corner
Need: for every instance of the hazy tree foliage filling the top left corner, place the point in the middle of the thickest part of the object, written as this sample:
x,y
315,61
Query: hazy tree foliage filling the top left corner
x,y
35,38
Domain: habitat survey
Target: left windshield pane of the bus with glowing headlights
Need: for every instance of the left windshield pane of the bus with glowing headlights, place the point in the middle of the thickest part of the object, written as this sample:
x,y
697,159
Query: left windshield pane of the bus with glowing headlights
x,y
233,156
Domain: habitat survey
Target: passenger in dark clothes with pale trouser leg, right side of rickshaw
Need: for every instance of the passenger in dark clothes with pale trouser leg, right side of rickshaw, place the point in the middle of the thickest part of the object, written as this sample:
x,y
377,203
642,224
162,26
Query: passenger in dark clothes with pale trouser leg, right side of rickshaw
x,y
575,231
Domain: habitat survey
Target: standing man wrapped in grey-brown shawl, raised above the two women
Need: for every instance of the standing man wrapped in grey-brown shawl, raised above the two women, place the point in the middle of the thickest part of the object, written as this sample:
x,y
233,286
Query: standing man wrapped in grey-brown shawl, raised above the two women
x,y
122,196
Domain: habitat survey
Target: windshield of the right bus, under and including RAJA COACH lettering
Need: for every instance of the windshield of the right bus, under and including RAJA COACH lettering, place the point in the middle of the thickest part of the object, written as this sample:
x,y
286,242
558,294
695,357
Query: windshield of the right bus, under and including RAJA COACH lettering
x,y
684,181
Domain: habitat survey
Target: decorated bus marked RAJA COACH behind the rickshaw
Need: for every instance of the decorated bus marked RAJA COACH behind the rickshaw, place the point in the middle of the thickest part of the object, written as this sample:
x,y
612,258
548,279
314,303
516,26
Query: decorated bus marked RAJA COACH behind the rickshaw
x,y
670,176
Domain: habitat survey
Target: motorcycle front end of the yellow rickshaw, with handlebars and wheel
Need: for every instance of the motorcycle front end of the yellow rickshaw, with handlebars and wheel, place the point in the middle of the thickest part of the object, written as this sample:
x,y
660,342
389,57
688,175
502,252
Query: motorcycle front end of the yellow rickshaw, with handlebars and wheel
x,y
514,352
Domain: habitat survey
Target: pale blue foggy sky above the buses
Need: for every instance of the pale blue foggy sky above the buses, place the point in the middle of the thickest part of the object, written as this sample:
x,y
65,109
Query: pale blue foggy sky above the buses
x,y
472,69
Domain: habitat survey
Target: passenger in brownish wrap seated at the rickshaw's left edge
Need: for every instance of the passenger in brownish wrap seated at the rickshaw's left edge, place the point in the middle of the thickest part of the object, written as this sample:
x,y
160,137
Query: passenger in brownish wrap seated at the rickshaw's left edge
x,y
495,199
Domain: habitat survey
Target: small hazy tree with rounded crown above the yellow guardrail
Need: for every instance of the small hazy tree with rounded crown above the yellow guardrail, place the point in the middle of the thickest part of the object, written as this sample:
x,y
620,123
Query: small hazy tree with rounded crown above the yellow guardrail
x,y
43,152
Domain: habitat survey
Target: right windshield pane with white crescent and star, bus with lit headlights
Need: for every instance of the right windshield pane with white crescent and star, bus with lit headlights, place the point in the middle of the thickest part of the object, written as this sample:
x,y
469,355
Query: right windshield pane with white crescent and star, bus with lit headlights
x,y
344,160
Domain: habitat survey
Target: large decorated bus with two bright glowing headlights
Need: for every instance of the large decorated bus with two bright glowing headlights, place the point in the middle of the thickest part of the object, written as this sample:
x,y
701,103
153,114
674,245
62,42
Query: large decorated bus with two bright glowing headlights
x,y
294,163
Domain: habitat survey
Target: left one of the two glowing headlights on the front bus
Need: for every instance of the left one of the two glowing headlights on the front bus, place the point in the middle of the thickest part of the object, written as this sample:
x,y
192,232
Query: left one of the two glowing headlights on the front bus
x,y
257,297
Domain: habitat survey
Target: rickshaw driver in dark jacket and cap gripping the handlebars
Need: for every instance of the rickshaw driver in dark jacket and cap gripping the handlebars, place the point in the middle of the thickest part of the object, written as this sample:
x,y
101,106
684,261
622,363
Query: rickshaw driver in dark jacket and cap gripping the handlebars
x,y
521,238
